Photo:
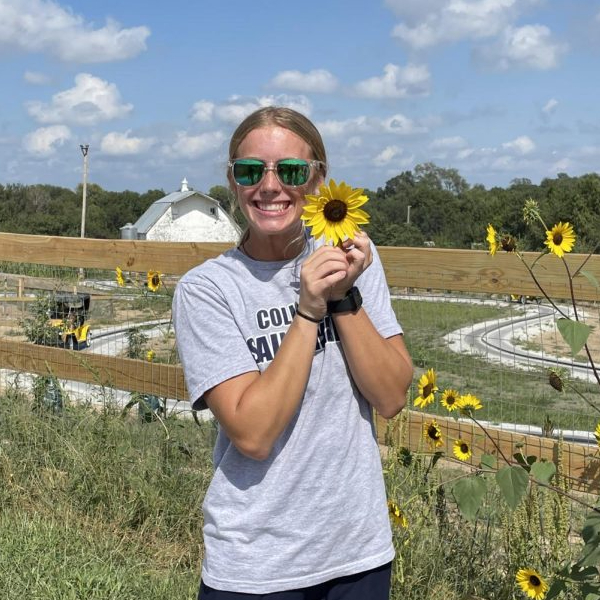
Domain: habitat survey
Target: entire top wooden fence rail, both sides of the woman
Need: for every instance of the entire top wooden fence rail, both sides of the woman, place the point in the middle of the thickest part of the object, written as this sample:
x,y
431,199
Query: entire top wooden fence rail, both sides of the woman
x,y
421,268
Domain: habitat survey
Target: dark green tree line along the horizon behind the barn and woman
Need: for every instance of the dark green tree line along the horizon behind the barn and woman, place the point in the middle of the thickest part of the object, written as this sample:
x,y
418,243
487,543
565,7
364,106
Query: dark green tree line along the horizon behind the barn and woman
x,y
429,205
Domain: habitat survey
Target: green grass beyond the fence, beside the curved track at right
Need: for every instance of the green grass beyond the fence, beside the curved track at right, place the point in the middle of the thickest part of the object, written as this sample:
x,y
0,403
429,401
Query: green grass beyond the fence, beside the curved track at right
x,y
508,394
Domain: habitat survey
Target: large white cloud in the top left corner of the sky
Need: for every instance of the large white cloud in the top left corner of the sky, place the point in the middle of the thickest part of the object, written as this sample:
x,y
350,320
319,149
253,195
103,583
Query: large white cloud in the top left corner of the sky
x,y
45,27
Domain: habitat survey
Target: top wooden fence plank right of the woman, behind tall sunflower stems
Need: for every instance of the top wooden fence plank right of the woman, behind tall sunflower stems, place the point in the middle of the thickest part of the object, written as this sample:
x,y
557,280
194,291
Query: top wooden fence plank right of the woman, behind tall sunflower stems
x,y
477,271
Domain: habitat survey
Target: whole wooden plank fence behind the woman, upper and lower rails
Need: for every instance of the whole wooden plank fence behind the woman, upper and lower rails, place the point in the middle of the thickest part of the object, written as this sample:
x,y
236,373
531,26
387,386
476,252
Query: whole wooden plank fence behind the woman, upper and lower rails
x,y
472,271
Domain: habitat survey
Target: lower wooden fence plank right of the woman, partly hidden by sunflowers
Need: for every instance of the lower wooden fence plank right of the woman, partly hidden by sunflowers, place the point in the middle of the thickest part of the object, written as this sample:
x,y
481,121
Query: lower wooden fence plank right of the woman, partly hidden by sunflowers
x,y
579,460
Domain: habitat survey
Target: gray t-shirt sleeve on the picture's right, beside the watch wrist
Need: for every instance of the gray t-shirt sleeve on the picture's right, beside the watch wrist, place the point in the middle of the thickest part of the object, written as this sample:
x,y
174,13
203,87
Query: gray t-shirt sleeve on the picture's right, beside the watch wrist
x,y
376,298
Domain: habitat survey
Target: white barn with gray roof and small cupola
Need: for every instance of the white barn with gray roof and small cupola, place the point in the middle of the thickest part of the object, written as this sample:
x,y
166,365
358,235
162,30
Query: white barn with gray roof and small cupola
x,y
184,216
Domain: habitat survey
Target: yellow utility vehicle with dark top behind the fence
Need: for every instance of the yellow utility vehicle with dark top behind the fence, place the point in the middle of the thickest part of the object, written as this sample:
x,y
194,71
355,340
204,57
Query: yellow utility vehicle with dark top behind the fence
x,y
68,316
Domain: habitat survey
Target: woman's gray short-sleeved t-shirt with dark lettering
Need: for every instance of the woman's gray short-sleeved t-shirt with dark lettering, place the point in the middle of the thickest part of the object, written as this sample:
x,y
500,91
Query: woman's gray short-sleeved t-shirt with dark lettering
x,y
316,508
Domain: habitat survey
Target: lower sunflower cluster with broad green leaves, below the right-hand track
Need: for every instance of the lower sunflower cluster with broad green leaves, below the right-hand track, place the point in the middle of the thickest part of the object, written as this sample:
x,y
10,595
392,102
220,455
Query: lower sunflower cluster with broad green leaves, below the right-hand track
x,y
516,477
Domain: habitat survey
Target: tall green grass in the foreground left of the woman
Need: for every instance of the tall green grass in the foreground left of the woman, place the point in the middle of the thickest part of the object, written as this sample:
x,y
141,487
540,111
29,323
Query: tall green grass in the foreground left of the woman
x,y
97,506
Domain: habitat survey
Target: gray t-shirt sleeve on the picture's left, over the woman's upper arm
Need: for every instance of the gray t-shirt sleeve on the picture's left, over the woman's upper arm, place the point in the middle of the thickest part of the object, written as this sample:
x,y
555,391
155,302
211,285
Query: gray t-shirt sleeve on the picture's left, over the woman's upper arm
x,y
210,344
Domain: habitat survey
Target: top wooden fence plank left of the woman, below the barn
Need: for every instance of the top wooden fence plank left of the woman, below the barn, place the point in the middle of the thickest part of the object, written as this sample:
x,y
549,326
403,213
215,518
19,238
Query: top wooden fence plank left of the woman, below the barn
x,y
131,255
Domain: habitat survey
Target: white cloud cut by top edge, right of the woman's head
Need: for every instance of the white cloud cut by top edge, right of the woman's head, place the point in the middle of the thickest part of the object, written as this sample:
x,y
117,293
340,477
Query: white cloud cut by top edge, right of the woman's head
x,y
453,20
